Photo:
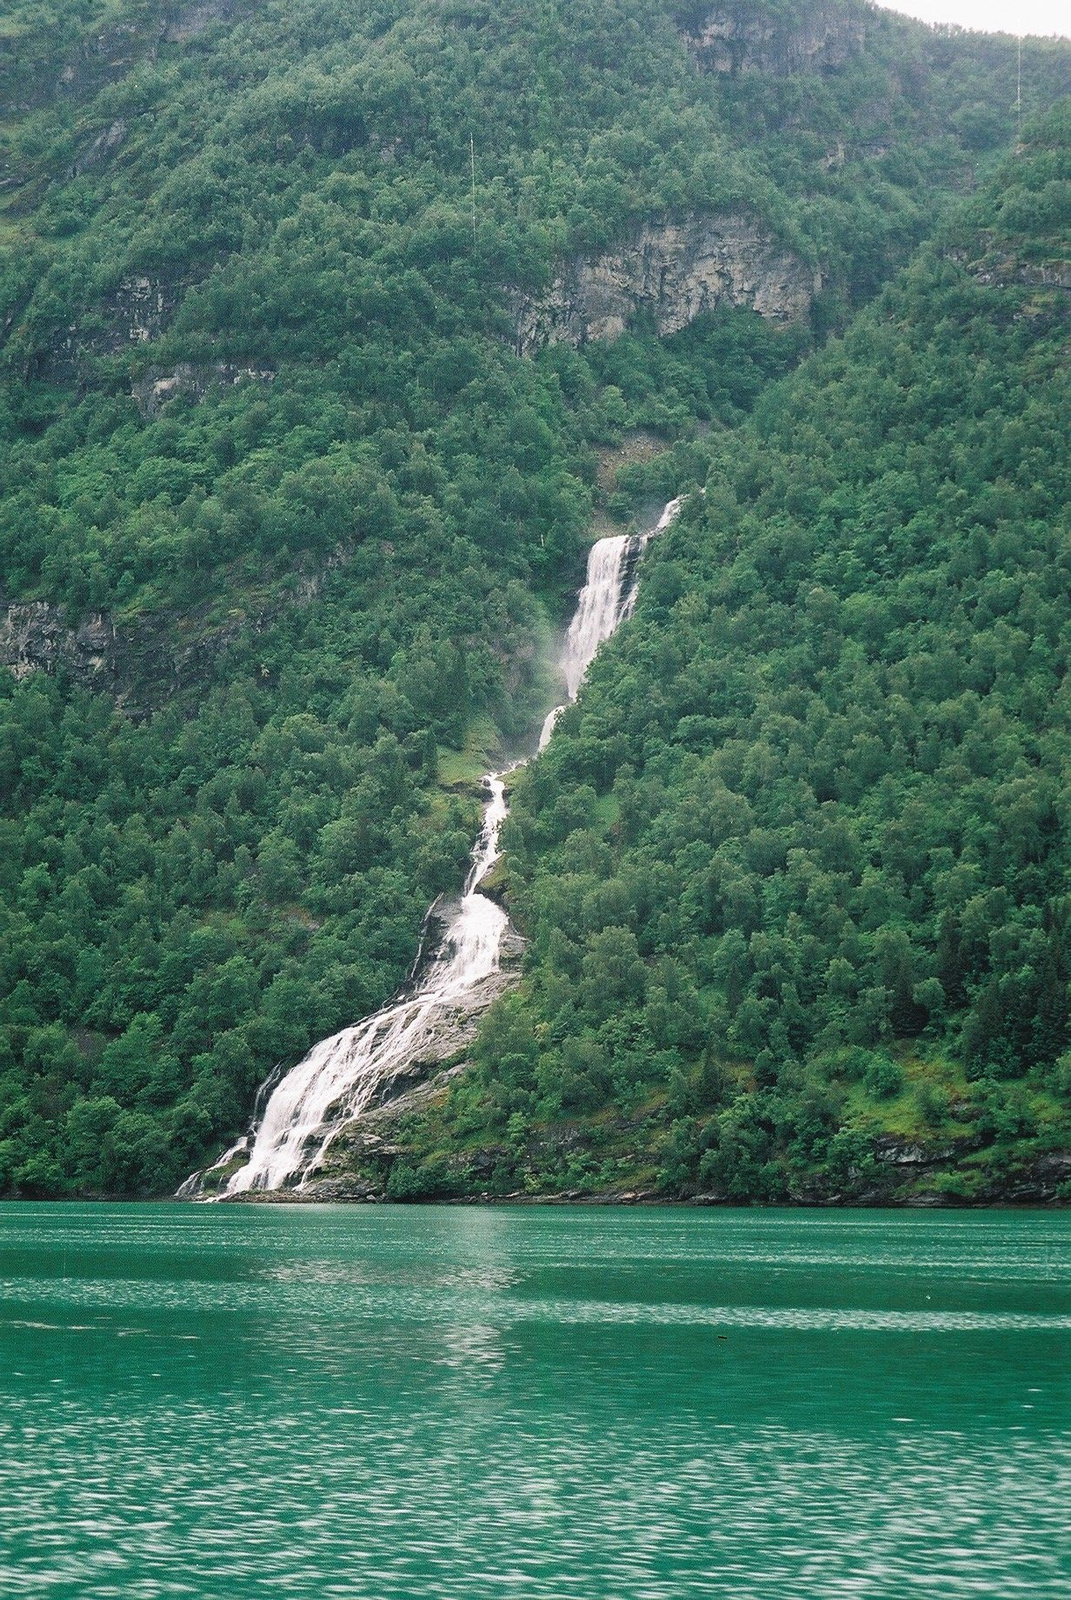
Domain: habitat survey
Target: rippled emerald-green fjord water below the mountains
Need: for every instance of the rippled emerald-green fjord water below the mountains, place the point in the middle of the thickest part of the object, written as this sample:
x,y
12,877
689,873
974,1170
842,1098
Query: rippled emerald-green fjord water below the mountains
x,y
399,1404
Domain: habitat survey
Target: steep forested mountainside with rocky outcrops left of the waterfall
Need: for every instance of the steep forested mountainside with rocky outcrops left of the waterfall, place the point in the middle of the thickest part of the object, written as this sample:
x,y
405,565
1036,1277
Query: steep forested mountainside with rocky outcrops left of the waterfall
x,y
315,318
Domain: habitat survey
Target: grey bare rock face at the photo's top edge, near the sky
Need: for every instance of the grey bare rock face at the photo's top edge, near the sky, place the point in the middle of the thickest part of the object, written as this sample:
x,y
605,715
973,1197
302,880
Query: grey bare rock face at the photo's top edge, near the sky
x,y
734,38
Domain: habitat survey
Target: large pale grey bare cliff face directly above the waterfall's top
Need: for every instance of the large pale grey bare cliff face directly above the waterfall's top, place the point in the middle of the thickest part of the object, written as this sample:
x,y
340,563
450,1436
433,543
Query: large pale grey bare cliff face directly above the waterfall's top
x,y
675,273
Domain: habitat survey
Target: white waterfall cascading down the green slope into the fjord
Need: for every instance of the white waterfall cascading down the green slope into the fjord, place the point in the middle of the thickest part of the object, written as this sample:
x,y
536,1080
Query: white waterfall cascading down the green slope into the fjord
x,y
297,1116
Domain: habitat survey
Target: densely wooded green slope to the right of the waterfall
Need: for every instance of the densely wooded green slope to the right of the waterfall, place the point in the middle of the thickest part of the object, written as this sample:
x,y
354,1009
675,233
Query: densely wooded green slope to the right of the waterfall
x,y
796,870
